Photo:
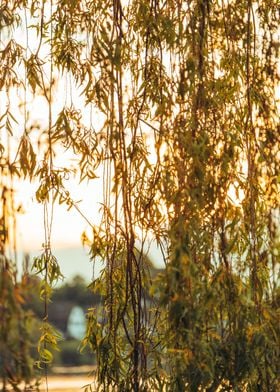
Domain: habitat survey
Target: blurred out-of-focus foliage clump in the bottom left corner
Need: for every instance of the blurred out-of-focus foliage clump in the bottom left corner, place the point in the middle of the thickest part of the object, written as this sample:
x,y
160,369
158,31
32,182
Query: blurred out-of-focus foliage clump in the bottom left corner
x,y
18,332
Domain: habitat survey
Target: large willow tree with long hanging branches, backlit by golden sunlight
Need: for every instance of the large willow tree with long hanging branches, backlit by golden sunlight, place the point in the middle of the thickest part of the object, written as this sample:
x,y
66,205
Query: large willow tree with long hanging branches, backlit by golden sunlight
x,y
175,103
